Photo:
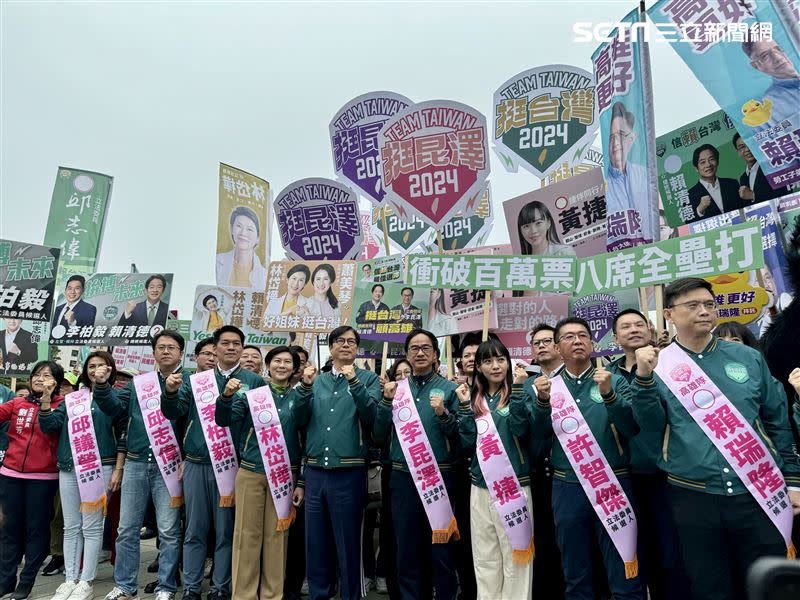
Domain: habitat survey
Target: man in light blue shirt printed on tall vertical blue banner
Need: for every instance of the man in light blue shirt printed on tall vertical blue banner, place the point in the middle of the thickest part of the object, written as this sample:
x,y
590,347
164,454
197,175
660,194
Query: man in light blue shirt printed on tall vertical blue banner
x,y
628,183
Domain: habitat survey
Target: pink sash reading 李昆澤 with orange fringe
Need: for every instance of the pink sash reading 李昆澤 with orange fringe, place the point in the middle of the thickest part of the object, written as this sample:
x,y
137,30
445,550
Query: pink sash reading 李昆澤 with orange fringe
x,y
423,466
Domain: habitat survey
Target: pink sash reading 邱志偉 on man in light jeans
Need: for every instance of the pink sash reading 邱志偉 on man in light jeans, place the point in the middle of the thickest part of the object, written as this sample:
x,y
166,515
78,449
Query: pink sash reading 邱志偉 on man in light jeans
x,y
159,431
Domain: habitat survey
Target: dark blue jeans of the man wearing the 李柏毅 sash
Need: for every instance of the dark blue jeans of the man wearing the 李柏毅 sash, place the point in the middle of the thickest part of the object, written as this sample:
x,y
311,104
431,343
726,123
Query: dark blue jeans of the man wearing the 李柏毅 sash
x,y
203,509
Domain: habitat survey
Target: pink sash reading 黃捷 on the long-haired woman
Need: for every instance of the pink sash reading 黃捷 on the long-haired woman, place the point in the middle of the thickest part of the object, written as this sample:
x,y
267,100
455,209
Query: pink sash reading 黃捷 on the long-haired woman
x,y
504,489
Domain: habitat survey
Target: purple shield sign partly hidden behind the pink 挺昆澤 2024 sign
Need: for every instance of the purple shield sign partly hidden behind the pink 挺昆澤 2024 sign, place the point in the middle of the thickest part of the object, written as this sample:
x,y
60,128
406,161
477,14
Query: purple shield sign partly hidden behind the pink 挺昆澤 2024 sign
x,y
354,140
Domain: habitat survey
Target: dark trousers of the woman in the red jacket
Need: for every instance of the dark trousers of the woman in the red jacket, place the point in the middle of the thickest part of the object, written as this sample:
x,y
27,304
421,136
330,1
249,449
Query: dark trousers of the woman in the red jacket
x,y
27,507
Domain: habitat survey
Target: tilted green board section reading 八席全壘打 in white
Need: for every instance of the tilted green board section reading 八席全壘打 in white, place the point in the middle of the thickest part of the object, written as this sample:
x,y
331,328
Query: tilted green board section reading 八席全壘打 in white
x,y
720,251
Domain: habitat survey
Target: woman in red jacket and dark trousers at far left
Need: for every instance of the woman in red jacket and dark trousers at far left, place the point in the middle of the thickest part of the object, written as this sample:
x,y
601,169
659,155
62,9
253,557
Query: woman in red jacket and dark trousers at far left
x,y
29,480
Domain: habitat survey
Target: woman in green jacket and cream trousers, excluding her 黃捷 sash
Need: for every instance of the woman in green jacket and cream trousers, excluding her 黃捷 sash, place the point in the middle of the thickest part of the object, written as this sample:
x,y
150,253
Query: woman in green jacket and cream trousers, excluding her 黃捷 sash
x,y
496,391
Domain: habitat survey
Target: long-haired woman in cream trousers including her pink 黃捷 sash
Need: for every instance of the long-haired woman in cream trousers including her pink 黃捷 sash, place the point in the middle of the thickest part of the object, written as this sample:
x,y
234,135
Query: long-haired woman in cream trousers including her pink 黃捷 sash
x,y
502,572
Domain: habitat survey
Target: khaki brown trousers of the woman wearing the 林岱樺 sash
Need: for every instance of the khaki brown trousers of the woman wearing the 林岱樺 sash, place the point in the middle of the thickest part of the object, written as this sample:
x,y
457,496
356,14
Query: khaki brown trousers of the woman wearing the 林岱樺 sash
x,y
259,550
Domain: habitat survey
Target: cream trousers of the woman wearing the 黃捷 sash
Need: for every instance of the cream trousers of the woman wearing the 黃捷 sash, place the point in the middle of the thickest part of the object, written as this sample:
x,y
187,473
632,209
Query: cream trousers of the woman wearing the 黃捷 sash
x,y
498,578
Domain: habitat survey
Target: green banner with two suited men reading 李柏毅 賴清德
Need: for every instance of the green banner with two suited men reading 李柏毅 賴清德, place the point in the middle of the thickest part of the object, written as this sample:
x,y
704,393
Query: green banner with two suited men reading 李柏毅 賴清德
x,y
112,309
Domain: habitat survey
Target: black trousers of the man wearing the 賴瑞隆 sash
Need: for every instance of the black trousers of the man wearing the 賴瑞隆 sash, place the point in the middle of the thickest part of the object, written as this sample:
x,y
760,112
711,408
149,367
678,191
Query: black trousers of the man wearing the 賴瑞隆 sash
x,y
720,537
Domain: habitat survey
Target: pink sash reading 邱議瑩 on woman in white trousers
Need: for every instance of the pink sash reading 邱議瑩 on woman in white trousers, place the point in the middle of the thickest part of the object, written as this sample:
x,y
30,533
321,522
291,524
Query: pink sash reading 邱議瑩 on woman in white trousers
x,y
85,452
